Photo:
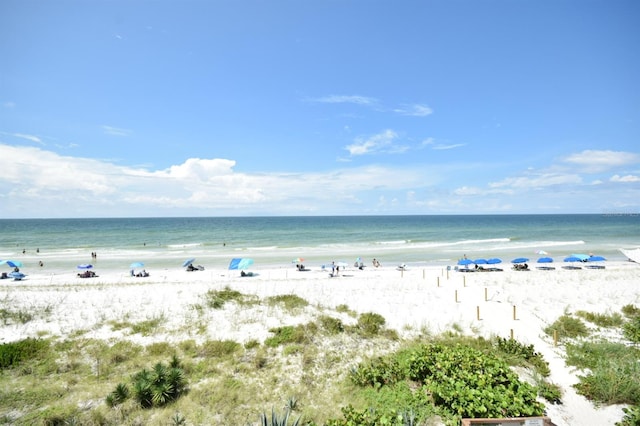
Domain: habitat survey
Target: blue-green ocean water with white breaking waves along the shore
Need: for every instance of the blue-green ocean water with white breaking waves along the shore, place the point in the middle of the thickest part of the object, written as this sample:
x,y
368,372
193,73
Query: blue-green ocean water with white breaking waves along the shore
x,y
275,241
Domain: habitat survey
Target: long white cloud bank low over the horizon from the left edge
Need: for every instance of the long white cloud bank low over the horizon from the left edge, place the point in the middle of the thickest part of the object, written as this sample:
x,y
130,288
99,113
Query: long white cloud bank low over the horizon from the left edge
x,y
39,183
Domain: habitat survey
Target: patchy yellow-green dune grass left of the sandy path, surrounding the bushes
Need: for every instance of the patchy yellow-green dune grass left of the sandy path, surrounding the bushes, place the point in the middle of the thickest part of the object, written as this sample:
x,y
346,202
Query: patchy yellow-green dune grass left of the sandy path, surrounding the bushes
x,y
300,369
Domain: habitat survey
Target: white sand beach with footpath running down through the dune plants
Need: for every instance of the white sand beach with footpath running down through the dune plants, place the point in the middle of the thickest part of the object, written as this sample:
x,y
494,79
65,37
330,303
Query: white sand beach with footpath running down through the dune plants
x,y
518,303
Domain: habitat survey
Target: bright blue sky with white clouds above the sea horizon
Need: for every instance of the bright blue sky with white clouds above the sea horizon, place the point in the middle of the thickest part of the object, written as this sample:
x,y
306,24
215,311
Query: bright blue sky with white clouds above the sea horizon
x,y
235,108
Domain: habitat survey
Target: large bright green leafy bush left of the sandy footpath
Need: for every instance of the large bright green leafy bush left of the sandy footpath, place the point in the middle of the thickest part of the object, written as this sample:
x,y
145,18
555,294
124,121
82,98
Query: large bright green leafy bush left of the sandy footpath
x,y
462,381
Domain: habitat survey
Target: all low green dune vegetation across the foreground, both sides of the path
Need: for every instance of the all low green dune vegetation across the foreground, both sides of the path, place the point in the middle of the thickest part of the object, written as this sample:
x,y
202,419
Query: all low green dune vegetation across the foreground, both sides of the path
x,y
339,369
